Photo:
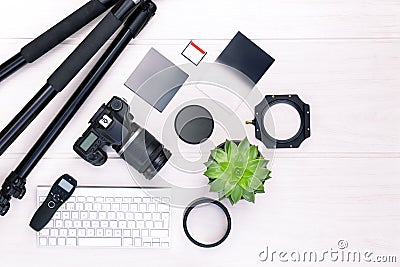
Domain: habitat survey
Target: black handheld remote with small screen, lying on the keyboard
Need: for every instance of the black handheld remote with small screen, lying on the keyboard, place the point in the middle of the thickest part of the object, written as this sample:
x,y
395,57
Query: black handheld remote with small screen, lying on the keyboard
x,y
60,192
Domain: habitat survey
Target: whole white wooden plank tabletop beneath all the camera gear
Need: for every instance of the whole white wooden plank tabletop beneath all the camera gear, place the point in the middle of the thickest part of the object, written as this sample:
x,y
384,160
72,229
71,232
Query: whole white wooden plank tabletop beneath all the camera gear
x,y
340,56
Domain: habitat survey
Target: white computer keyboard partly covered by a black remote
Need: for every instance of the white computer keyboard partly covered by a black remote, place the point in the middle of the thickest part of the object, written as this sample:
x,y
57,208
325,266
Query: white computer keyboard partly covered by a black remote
x,y
109,217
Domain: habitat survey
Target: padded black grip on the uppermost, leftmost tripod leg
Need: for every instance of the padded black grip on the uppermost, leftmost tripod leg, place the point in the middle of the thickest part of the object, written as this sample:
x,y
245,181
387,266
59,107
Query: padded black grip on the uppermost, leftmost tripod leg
x,y
65,28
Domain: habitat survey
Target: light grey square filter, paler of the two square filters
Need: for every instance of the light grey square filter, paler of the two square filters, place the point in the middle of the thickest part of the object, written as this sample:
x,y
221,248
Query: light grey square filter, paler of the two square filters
x,y
156,80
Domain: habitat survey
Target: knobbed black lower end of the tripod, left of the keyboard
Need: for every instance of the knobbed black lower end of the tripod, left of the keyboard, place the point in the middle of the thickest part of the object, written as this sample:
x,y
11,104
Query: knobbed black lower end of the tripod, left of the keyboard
x,y
14,186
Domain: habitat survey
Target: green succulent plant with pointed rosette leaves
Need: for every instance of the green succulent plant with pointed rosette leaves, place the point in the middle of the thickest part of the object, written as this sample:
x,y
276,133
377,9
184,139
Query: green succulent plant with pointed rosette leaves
x,y
237,171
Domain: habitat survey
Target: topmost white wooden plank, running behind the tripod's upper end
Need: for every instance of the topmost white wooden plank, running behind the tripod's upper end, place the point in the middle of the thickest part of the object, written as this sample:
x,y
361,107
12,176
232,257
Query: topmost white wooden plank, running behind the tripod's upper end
x,y
210,19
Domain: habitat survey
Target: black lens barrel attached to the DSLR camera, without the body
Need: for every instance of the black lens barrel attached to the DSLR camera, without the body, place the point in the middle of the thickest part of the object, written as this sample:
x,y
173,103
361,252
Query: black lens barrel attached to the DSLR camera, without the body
x,y
144,152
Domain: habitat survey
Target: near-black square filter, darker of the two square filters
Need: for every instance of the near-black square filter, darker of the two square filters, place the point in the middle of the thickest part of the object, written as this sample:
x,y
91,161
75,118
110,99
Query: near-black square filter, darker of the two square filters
x,y
245,56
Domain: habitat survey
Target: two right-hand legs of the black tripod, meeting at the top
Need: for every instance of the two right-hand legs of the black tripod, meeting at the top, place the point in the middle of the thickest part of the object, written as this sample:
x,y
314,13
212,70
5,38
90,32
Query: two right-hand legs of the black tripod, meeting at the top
x,y
14,185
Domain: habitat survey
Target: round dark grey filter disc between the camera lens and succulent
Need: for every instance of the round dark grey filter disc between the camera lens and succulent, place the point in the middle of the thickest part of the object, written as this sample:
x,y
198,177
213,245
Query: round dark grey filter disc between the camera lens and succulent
x,y
194,124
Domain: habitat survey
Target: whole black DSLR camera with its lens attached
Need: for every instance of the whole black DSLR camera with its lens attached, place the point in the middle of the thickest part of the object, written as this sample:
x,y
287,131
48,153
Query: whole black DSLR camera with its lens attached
x,y
113,126
